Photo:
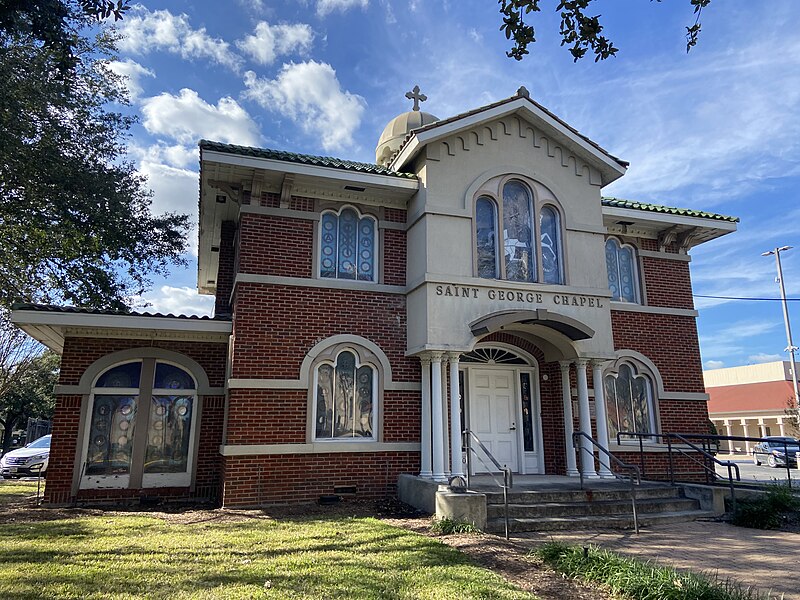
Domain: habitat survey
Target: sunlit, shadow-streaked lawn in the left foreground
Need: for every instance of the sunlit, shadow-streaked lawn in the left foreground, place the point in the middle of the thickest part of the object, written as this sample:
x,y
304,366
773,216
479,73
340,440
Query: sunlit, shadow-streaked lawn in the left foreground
x,y
125,555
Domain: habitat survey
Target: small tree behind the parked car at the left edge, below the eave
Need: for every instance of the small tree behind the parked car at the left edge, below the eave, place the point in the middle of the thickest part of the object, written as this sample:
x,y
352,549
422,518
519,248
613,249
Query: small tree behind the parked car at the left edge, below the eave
x,y
28,374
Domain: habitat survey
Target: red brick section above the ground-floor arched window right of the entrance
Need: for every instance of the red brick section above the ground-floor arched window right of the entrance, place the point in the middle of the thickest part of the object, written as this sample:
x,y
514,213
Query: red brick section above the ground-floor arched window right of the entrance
x,y
670,341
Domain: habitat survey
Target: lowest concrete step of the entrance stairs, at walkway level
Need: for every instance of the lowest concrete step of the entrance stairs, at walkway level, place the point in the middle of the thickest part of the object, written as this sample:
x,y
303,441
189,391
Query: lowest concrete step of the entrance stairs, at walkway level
x,y
593,522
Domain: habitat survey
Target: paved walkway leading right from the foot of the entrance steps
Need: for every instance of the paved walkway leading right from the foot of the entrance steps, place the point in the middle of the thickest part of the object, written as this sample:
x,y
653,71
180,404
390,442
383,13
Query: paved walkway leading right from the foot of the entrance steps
x,y
768,560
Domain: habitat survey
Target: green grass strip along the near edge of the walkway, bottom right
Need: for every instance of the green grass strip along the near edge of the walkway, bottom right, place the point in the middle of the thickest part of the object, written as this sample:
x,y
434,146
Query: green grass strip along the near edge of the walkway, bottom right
x,y
639,579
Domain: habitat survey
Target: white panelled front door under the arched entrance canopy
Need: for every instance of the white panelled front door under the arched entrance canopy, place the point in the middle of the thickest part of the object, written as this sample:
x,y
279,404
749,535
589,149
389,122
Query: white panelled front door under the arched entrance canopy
x,y
493,417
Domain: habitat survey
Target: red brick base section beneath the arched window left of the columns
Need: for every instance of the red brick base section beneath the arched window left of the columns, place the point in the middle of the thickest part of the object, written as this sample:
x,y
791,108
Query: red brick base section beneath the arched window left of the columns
x,y
290,478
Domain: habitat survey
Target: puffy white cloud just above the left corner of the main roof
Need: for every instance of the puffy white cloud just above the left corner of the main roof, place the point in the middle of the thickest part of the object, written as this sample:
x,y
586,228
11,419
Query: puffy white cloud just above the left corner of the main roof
x,y
187,118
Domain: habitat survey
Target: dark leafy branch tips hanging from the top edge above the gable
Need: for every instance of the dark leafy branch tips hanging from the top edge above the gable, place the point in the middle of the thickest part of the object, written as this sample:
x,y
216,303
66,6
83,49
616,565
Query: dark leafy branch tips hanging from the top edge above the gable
x,y
578,30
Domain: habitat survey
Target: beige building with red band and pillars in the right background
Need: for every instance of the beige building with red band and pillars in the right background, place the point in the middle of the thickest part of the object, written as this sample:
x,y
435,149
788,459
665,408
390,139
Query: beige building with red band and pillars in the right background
x,y
750,401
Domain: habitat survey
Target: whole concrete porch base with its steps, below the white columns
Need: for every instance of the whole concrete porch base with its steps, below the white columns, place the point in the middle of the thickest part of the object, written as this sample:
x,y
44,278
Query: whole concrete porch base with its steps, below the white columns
x,y
553,502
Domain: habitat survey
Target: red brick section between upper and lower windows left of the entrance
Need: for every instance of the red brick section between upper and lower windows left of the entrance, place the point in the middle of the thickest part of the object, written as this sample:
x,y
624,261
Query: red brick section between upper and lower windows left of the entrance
x,y
275,326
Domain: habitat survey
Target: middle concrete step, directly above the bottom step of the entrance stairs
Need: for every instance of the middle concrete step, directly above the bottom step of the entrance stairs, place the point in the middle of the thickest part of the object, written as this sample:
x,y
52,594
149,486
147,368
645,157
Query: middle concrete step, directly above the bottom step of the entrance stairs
x,y
596,508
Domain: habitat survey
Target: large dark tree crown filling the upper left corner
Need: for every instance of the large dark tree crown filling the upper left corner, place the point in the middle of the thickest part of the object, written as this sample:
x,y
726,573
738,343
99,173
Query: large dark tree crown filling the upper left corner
x,y
75,221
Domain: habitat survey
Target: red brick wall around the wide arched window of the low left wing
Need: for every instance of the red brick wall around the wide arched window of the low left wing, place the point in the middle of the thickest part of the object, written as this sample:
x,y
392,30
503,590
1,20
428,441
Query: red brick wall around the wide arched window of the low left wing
x,y
80,353
